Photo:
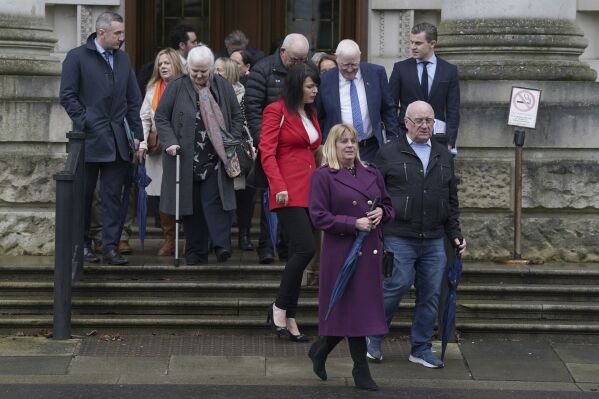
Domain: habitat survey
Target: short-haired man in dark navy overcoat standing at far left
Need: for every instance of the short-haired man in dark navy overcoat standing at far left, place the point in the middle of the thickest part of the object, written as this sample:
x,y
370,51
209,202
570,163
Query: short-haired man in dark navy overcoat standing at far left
x,y
99,91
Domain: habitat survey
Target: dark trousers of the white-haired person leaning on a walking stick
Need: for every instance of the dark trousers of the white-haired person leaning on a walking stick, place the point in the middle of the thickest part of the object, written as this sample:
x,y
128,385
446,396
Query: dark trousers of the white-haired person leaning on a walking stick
x,y
209,221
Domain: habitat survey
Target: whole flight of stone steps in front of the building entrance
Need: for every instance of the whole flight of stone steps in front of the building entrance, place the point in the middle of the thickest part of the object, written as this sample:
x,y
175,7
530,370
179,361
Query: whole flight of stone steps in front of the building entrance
x,y
151,295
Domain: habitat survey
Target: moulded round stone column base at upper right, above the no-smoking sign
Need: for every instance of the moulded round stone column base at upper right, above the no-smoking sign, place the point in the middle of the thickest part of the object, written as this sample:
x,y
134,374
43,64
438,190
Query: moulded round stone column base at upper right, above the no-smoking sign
x,y
513,39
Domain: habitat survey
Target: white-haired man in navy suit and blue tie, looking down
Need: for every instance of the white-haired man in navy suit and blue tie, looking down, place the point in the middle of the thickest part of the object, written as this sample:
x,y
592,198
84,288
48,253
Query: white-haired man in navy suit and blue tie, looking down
x,y
358,94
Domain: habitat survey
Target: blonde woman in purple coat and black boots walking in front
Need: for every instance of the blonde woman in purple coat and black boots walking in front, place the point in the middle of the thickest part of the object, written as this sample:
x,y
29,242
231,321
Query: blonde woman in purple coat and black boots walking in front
x,y
340,198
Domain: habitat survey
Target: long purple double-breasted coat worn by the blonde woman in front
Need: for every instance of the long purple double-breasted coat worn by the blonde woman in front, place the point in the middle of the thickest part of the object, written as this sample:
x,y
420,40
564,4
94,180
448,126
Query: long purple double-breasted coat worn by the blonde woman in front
x,y
337,199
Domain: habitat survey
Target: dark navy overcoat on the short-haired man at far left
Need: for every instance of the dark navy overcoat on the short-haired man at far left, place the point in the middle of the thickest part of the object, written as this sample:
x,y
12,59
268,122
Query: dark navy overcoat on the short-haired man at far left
x,y
98,99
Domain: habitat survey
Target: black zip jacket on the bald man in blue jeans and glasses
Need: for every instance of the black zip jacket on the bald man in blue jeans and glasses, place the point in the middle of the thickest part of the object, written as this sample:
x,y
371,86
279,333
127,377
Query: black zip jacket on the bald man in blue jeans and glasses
x,y
426,206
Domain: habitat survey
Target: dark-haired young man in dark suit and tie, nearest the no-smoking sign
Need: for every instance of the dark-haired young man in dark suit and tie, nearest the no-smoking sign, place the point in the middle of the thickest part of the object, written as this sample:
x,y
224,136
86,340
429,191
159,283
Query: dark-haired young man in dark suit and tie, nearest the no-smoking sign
x,y
429,78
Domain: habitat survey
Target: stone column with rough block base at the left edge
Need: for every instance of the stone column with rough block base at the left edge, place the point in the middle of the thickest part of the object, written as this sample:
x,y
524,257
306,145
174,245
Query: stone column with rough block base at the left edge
x,y
32,128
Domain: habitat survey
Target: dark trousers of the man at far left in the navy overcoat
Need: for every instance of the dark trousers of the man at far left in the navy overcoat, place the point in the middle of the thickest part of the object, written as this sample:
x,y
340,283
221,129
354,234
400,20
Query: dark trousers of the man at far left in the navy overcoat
x,y
112,178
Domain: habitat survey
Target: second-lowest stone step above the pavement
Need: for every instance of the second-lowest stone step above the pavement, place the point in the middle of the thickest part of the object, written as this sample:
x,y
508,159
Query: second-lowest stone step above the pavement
x,y
239,307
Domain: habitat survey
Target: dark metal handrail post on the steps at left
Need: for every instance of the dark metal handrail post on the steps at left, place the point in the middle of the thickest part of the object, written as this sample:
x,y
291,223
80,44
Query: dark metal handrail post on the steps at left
x,y
69,228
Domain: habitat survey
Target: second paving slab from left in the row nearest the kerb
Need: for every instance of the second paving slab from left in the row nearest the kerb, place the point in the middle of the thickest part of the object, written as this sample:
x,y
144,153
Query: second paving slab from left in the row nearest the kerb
x,y
118,366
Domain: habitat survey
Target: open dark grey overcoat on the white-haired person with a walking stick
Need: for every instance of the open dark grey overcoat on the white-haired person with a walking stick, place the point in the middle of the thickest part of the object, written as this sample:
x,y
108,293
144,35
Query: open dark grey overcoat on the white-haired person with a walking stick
x,y
175,124
